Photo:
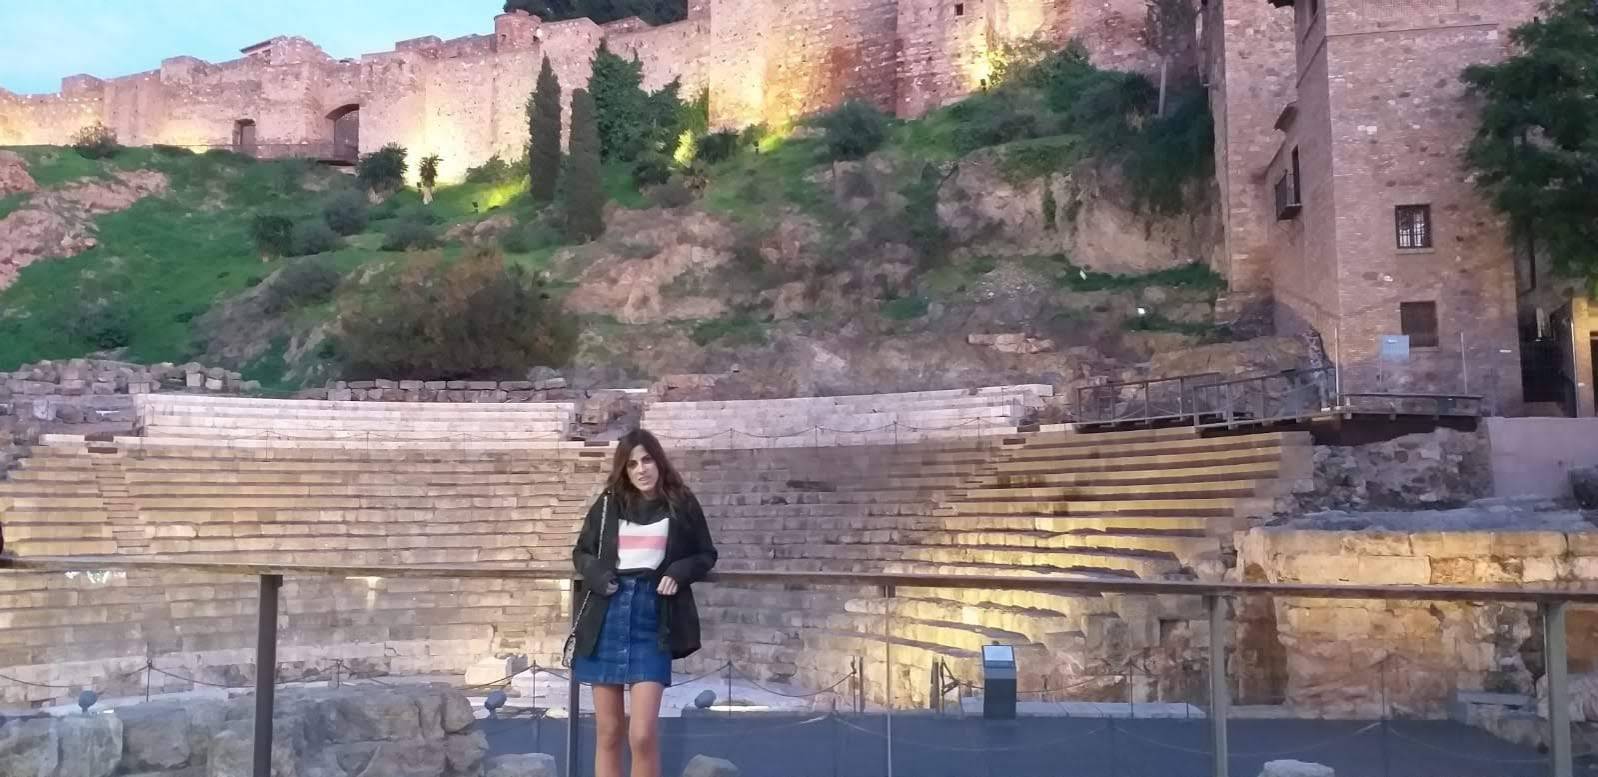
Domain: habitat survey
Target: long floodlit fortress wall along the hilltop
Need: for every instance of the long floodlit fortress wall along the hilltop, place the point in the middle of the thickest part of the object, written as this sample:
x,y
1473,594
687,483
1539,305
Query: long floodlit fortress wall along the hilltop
x,y
464,98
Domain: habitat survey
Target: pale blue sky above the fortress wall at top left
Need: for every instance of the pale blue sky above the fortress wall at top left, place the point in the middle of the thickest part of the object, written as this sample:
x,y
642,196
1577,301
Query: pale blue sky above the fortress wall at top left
x,y
41,42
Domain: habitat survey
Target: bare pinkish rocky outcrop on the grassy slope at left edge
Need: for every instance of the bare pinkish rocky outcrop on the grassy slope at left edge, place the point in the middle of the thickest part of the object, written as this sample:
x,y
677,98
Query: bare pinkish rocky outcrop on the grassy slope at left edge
x,y
60,223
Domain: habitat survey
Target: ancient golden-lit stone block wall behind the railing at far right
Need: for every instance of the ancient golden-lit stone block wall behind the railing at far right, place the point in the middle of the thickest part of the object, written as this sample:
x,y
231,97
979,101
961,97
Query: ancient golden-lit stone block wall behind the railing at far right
x,y
1351,658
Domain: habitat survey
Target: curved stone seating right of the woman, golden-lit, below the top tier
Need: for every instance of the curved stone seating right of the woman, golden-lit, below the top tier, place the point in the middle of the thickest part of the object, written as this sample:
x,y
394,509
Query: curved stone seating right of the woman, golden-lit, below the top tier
x,y
1143,504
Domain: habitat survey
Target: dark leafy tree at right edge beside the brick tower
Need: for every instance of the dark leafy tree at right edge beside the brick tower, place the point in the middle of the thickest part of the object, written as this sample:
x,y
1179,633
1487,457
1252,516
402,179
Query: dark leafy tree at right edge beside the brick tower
x,y
1536,146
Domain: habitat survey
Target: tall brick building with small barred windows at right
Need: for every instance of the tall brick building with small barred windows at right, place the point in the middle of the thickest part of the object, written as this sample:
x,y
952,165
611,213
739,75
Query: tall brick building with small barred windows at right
x,y
1348,209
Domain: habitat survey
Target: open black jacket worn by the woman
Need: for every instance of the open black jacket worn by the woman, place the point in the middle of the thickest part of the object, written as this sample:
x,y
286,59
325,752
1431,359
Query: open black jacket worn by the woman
x,y
690,559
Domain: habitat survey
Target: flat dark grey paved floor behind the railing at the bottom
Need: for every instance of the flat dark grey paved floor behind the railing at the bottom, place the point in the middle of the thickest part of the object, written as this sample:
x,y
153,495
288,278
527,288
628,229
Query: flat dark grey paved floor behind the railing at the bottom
x,y
924,746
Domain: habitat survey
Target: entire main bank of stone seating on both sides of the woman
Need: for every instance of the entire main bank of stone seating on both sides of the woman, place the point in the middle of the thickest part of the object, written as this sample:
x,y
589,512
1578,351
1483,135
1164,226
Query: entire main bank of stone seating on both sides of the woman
x,y
1052,503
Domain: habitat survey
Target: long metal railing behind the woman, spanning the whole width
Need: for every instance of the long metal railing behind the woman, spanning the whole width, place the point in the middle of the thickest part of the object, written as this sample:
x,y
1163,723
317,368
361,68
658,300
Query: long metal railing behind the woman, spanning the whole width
x,y
1551,602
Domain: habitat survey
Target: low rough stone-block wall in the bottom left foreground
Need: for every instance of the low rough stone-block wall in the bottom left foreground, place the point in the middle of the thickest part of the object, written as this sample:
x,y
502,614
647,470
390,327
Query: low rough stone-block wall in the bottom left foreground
x,y
415,731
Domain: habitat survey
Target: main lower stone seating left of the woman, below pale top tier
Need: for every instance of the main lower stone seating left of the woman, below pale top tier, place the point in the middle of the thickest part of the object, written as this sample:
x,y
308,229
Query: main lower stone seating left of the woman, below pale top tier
x,y
316,506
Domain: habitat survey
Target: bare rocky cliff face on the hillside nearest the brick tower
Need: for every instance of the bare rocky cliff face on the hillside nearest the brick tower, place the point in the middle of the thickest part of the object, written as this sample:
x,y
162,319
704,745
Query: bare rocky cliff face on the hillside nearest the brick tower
x,y
1094,225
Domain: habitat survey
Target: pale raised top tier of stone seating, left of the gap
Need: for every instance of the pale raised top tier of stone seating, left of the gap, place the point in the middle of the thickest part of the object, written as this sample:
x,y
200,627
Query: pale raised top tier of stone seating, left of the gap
x,y
185,420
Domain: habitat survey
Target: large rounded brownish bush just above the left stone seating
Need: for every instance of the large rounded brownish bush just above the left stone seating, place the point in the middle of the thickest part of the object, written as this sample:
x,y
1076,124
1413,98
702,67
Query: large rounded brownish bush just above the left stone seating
x,y
432,319
